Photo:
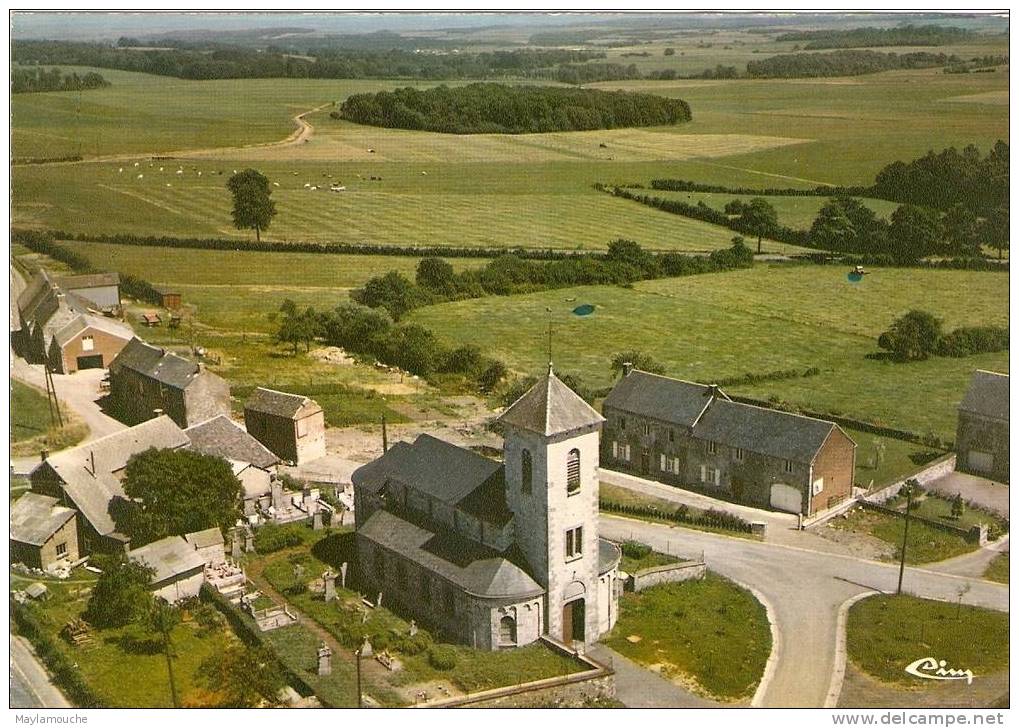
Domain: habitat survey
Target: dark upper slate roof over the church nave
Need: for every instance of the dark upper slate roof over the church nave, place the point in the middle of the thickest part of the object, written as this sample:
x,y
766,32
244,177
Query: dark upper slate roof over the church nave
x,y
430,465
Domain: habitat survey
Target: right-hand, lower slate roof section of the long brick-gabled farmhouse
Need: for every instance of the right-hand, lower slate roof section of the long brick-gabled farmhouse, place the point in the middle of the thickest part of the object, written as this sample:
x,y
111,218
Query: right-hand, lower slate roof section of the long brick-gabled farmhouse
x,y
780,435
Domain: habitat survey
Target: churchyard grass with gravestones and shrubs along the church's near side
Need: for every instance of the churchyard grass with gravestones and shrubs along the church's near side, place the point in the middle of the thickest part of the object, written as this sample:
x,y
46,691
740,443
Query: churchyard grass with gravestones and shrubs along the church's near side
x,y
475,670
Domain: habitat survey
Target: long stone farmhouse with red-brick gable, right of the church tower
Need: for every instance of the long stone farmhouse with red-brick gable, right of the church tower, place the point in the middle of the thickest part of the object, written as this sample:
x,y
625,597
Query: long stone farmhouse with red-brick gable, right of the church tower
x,y
684,434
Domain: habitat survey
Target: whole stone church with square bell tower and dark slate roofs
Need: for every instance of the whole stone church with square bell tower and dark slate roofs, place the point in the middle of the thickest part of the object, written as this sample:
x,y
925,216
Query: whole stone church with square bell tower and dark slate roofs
x,y
495,555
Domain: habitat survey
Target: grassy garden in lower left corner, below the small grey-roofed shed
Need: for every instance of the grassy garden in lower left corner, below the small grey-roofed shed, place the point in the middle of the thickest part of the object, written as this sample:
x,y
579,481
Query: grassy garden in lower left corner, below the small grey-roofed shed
x,y
125,666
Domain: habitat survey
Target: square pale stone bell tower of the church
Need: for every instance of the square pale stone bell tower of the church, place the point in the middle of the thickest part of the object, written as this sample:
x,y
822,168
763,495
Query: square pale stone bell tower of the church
x,y
552,474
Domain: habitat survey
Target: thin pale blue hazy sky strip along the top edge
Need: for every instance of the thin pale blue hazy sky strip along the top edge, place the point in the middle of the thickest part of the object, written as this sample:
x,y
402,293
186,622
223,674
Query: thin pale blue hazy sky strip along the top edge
x,y
109,26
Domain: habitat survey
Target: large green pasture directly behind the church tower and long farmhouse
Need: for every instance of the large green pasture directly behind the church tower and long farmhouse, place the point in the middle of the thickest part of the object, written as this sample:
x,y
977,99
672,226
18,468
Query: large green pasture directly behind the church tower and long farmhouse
x,y
768,320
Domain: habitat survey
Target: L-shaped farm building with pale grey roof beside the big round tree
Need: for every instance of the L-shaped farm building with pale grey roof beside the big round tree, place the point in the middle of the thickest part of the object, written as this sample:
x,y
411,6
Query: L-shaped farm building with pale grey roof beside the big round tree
x,y
88,479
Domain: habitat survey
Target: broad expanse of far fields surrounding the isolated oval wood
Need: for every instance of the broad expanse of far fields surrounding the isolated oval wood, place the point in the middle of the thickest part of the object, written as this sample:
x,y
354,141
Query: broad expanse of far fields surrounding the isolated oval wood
x,y
526,190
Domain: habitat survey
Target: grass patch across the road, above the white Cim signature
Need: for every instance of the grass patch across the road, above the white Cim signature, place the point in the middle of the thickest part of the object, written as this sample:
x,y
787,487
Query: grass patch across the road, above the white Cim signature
x,y
886,634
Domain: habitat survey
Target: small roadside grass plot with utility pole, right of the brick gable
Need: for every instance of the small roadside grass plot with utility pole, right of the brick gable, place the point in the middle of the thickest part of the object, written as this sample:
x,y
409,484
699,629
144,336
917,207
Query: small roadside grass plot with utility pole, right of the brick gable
x,y
926,544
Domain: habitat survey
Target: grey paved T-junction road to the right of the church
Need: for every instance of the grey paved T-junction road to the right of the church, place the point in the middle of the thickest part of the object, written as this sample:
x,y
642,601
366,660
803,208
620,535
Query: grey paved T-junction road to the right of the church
x,y
806,590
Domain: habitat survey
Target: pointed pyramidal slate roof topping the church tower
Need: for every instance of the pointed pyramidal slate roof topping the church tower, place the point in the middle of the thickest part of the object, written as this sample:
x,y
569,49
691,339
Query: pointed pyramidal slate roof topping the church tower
x,y
551,408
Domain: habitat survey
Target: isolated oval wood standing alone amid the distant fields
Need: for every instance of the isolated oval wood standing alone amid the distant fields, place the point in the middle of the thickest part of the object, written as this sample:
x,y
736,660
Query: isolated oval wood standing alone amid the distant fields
x,y
496,109
